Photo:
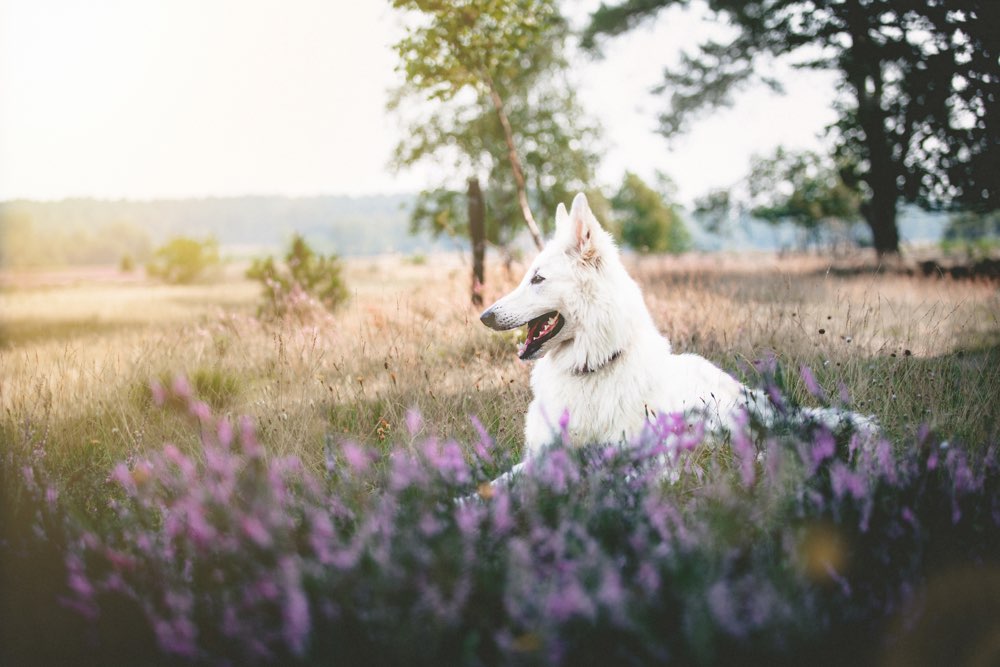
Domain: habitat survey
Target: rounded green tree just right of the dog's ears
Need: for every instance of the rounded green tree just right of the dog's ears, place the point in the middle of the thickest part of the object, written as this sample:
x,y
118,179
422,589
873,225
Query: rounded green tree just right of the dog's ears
x,y
646,221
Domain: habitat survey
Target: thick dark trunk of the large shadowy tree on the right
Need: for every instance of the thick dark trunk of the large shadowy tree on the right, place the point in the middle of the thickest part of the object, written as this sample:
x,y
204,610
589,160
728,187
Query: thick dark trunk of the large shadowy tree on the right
x,y
864,72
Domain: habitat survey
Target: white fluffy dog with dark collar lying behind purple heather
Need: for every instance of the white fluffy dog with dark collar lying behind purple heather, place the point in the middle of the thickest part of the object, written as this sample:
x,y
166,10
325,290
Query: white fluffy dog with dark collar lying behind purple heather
x,y
602,363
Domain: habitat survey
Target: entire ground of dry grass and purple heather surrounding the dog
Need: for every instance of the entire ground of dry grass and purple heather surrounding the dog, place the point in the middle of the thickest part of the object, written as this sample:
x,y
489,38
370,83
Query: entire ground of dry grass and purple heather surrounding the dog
x,y
159,535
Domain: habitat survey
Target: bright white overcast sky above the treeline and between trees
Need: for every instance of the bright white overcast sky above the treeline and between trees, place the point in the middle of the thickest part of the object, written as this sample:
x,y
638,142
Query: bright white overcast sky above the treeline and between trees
x,y
144,99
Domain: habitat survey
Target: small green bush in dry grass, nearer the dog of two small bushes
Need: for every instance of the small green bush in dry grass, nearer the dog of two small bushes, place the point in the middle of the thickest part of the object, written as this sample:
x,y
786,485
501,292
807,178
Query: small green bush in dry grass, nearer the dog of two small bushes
x,y
306,279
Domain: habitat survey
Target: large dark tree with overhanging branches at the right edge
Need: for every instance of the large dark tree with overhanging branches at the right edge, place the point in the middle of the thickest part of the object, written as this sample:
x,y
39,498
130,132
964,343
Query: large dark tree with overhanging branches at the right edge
x,y
920,101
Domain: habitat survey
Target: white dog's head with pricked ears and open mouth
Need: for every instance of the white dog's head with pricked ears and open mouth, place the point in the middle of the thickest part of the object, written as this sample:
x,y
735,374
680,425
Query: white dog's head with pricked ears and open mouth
x,y
558,288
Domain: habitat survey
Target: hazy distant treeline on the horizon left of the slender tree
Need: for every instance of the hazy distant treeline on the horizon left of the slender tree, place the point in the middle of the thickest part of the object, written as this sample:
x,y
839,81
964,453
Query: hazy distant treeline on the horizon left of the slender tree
x,y
92,231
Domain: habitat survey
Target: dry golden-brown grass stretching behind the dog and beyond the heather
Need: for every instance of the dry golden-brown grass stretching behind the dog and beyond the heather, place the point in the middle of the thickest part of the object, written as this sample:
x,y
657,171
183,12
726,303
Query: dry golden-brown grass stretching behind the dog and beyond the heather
x,y
77,357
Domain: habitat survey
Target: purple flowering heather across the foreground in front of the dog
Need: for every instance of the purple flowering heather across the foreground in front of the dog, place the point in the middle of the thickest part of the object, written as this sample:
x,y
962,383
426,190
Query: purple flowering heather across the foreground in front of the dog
x,y
686,547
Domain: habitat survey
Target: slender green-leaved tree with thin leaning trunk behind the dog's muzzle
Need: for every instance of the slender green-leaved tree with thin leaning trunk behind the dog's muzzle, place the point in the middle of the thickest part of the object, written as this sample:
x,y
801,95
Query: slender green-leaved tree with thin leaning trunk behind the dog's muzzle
x,y
502,114
